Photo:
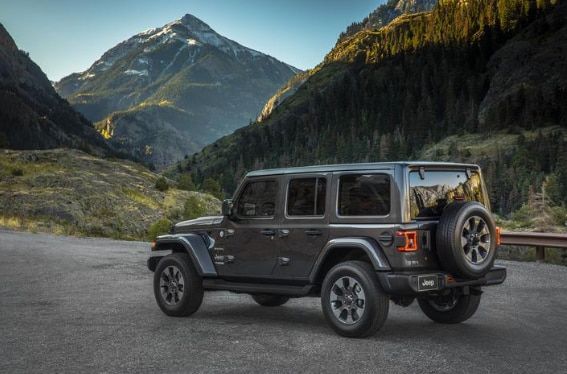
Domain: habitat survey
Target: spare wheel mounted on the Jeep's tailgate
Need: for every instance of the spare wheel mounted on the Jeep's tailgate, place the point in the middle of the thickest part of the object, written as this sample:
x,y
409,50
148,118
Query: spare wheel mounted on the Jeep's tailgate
x,y
466,240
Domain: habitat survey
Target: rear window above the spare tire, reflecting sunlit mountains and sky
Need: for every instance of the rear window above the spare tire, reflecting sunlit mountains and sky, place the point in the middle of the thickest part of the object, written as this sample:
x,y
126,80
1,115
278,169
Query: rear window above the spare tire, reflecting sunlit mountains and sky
x,y
430,195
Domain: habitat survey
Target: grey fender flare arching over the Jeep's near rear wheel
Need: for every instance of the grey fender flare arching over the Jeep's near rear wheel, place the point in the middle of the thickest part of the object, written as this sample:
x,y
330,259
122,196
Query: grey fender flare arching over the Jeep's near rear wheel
x,y
369,246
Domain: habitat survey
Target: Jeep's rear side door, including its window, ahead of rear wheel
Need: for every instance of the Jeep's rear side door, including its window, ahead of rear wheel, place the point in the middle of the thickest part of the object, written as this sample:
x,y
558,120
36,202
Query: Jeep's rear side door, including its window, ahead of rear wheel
x,y
304,230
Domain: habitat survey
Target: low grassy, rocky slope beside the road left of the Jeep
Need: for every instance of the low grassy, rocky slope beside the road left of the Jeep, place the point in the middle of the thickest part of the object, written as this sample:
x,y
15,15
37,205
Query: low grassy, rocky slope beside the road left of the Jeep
x,y
70,192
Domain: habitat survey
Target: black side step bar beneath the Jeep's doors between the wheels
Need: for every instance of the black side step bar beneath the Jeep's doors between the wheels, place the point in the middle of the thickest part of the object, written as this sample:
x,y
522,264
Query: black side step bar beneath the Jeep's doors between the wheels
x,y
258,288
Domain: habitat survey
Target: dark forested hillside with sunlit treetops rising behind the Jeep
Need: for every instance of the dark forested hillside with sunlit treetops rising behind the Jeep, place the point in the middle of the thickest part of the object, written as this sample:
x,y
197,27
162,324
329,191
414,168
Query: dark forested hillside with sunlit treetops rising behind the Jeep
x,y
495,68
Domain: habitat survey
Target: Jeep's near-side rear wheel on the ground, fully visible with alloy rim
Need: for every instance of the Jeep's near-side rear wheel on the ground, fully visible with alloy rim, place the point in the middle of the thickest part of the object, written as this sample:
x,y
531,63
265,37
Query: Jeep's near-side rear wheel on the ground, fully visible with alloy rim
x,y
375,302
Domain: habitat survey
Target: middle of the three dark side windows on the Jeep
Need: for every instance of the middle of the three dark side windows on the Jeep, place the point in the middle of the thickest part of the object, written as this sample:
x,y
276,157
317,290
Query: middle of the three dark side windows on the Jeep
x,y
306,197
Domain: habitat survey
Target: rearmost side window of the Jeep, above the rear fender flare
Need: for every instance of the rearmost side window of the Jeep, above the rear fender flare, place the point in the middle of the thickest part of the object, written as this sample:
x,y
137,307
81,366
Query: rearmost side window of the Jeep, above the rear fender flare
x,y
364,195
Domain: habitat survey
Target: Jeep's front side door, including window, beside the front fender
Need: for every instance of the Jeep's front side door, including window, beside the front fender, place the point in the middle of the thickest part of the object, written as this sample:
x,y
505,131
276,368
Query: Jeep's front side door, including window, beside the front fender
x,y
250,241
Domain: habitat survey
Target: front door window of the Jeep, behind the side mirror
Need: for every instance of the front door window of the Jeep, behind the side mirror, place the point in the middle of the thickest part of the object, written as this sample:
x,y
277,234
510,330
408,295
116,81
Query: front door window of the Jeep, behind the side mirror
x,y
258,200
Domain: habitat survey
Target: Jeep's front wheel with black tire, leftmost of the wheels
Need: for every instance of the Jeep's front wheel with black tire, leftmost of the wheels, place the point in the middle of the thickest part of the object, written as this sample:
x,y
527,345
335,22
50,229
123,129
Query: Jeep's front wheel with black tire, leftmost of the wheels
x,y
176,270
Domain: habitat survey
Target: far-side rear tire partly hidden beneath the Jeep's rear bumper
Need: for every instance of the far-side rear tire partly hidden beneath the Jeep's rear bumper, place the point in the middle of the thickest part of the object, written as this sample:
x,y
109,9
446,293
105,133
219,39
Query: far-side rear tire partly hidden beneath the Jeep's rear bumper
x,y
464,307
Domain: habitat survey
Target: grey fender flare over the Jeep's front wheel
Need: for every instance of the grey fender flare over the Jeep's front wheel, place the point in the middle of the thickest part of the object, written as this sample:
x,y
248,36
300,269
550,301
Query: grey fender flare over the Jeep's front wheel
x,y
195,247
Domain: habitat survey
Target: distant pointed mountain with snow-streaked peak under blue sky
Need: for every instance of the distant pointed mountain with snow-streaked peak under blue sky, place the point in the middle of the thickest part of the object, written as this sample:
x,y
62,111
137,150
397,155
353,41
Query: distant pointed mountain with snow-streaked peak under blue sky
x,y
182,81
